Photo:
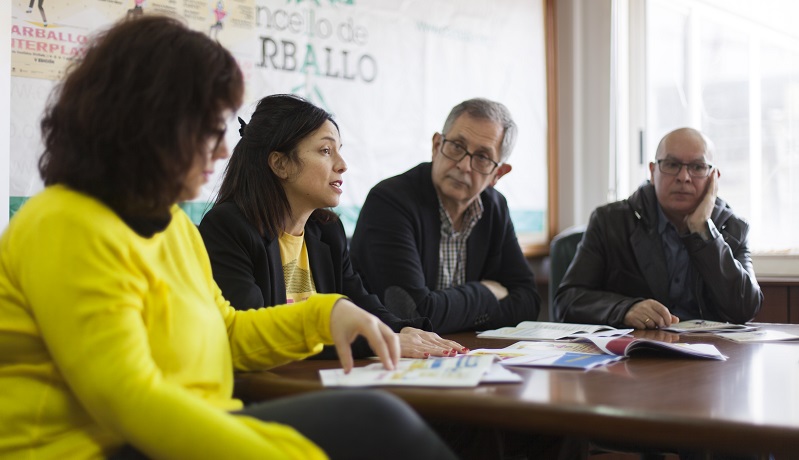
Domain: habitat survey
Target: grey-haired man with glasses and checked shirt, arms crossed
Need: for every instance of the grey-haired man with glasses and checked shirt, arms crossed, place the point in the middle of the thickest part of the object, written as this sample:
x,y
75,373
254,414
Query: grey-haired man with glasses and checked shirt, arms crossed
x,y
437,241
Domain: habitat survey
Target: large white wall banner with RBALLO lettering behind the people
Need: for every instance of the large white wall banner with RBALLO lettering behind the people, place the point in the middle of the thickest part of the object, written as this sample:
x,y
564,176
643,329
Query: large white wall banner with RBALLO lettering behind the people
x,y
388,71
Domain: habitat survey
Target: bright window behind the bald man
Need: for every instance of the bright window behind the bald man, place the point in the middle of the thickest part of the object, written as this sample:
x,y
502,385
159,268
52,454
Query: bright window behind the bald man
x,y
731,69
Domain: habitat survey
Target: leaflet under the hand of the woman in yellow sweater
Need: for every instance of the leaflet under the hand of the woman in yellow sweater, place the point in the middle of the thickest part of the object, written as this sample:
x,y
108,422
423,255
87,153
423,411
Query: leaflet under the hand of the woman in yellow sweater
x,y
459,371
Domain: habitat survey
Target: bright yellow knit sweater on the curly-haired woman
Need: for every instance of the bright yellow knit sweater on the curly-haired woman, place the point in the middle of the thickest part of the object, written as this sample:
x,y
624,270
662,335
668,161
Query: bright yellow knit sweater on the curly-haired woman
x,y
107,338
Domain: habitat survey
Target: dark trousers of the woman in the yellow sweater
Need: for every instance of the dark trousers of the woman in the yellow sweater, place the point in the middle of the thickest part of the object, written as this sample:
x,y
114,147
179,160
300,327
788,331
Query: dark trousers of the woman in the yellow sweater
x,y
349,424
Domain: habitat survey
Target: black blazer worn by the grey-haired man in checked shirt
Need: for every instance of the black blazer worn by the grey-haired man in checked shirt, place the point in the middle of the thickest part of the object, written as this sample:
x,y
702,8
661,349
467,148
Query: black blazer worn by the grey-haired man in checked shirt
x,y
396,244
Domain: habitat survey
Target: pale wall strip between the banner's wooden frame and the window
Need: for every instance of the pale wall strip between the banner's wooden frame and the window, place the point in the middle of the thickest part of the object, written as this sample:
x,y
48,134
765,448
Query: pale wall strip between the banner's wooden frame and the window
x,y
584,82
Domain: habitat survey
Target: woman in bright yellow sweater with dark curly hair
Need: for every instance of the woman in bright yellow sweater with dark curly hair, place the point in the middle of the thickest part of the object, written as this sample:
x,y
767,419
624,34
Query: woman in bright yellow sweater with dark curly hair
x,y
114,339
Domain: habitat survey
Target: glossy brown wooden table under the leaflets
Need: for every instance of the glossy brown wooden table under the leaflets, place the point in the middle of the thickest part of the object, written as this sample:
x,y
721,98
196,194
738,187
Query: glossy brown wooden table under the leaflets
x,y
749,403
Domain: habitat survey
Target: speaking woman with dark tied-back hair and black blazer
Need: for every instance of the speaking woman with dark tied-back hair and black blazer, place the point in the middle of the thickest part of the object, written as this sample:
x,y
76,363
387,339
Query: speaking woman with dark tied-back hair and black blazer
x,y
270,237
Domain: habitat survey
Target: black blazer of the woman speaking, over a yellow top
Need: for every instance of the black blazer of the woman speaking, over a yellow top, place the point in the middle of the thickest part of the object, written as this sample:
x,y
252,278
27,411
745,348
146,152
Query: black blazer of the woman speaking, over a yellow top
x,y
248,269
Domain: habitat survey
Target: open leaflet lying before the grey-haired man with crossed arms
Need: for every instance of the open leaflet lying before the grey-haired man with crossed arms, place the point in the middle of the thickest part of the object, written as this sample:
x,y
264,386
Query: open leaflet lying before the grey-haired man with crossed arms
x,y
540,330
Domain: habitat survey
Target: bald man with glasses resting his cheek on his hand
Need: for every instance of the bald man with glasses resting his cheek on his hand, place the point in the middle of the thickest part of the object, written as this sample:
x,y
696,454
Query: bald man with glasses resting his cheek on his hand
x,y
671,251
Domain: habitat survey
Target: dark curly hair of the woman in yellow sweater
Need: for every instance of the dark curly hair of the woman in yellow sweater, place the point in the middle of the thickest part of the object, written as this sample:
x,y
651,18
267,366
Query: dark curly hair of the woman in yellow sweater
x,y
127,122
